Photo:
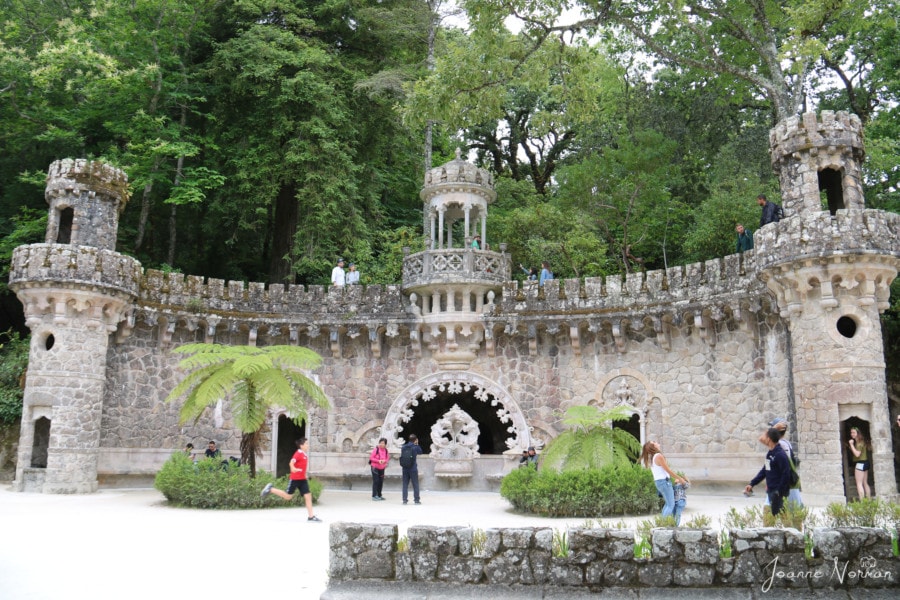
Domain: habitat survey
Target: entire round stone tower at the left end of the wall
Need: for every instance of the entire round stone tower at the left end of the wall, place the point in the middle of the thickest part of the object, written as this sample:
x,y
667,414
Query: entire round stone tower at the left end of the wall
x,y
76,290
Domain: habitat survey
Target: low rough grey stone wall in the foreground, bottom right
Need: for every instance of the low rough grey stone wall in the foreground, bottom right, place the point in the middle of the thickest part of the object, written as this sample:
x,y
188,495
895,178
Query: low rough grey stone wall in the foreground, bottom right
x,y
769,558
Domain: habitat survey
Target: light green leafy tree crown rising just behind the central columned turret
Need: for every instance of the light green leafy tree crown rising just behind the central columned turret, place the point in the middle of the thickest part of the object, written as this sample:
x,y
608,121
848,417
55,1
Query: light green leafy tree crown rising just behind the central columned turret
x,y
519,107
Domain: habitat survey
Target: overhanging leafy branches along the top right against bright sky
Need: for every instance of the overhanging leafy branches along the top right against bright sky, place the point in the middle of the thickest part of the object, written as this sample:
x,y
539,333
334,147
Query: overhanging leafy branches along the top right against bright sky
x,y
771,45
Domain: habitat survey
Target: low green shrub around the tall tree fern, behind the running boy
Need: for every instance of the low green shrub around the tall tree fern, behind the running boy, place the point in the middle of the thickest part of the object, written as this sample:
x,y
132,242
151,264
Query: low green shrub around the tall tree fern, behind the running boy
x,y
209,484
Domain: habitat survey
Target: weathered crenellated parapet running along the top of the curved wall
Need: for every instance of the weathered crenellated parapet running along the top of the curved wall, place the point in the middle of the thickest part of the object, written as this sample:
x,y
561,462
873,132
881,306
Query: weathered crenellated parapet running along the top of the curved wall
x,y
699,296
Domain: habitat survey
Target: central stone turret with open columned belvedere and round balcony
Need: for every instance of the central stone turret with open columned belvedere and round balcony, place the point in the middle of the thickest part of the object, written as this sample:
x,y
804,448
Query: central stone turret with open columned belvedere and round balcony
x,y
454,281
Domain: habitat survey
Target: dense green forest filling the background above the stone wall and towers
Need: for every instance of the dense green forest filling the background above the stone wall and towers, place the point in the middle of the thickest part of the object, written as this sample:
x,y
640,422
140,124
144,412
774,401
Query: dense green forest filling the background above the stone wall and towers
x,y
265,138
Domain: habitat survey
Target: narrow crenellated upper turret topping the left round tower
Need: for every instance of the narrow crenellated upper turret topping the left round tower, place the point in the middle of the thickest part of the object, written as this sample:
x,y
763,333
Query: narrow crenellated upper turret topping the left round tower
x,y
86,198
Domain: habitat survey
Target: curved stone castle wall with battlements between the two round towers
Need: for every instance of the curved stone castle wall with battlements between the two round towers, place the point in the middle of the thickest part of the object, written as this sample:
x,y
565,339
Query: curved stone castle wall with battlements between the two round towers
x,y
701,390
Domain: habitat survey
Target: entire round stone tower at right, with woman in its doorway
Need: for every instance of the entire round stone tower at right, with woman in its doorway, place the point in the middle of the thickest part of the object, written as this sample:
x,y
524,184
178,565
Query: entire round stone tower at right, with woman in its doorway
x,y
830,264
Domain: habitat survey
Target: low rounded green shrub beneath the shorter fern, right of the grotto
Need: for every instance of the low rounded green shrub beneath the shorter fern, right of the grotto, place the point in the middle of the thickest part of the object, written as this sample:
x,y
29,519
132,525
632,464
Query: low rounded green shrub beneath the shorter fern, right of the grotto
x,y
611,490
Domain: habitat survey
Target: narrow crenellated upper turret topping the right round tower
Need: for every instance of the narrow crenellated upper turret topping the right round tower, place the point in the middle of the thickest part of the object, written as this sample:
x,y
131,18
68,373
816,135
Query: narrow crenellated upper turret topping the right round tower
x,y
818,160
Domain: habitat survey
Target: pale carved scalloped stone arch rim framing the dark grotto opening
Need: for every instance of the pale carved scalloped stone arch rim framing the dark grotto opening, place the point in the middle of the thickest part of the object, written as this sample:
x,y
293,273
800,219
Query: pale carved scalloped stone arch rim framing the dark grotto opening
x,y
449,387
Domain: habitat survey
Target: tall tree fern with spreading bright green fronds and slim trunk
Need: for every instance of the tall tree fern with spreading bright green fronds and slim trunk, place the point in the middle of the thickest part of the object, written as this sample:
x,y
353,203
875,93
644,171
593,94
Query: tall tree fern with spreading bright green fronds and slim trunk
x,y
253,380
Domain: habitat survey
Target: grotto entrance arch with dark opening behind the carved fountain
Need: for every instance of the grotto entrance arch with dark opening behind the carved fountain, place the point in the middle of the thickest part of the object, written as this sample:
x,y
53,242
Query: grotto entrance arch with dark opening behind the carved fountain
x,y
502,426
